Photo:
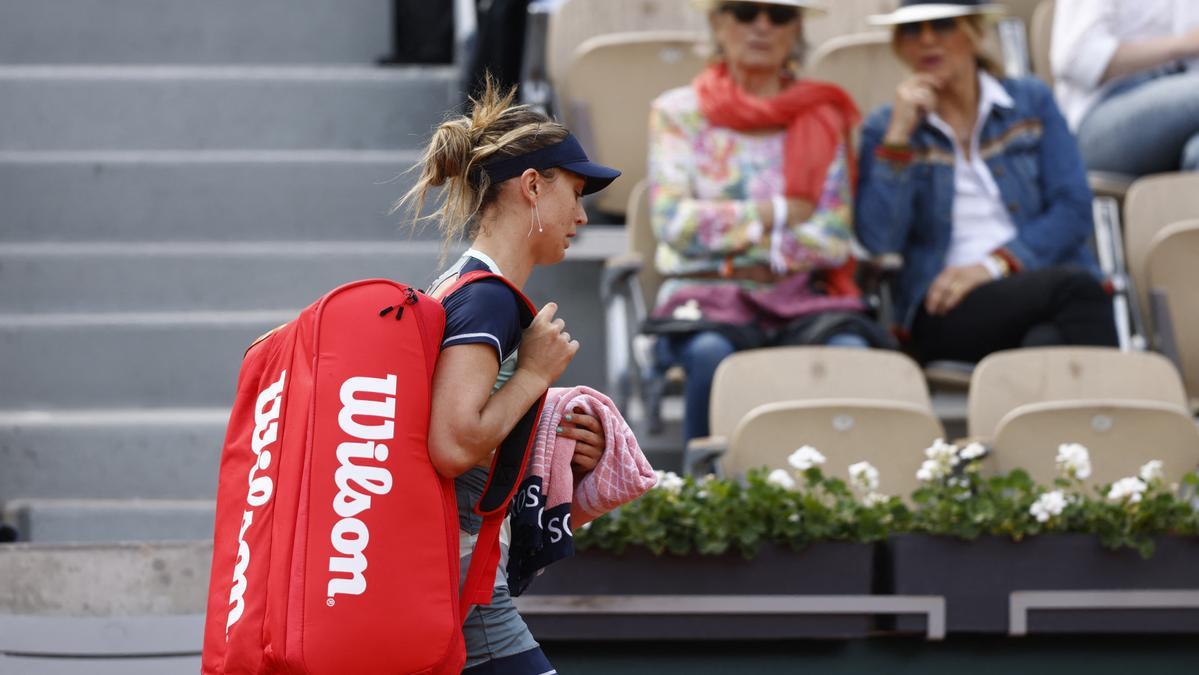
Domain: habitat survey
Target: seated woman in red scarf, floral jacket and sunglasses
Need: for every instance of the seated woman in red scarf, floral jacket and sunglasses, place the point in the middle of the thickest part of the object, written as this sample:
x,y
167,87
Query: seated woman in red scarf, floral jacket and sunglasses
x,y
751,177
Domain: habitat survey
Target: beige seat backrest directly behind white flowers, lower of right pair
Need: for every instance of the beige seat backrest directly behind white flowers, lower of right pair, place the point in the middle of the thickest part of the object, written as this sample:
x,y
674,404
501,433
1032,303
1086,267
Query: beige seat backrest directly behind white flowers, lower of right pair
x,y
1120,436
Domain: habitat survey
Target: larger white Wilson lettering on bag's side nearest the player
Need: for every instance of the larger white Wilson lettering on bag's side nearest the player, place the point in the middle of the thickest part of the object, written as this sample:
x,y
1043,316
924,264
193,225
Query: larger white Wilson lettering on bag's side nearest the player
x,y
367,420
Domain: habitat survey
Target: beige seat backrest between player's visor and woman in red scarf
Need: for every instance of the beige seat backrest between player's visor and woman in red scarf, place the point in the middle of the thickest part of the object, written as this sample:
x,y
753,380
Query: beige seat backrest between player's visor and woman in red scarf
x,y
610,106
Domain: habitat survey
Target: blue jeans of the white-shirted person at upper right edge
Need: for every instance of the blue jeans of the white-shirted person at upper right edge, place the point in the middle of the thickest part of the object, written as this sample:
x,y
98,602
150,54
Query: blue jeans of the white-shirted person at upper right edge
x,y
1148,125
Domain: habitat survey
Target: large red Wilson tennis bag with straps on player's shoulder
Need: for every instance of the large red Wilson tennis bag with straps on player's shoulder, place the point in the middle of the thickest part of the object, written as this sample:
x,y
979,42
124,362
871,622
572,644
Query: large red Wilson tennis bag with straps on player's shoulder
x,y
336,543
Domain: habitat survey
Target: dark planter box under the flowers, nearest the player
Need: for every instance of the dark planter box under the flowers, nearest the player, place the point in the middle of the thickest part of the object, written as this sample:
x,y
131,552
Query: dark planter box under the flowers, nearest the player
x,y
824,569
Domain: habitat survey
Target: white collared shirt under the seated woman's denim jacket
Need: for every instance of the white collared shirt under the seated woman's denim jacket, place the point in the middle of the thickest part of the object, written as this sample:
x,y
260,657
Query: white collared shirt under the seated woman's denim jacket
x,y
981,222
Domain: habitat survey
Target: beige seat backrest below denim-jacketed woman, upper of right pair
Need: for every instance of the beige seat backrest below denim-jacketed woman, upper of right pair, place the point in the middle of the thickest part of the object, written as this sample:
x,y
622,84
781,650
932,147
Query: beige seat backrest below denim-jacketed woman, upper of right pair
x,y
1007,381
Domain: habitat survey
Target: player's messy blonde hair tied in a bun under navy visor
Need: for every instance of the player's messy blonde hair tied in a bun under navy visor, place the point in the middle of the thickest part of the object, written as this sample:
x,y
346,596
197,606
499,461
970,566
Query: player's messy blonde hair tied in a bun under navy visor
x,y
460,148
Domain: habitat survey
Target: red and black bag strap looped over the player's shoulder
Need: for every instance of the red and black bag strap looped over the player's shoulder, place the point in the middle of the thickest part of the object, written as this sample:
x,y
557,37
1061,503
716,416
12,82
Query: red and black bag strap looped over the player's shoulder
x,y
508,468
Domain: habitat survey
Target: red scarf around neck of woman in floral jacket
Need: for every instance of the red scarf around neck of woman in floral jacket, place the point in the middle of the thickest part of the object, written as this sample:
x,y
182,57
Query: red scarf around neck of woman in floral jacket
x,y
818,117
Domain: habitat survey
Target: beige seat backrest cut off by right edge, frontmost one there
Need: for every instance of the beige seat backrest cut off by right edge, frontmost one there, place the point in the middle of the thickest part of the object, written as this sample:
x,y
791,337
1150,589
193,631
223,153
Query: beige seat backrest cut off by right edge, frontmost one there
x,y
1173,270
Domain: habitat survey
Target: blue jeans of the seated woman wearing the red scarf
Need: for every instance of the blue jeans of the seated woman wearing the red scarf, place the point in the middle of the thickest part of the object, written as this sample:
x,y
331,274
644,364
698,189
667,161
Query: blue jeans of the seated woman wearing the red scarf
x,y
700,354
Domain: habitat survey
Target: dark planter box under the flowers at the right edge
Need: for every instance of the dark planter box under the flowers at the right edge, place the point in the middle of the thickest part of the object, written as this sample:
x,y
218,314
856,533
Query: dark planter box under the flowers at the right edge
x,y
978,577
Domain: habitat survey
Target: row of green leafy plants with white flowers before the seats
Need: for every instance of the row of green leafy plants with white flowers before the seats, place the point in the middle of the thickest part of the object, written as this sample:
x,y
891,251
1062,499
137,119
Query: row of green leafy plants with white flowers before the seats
x,y
802,505
